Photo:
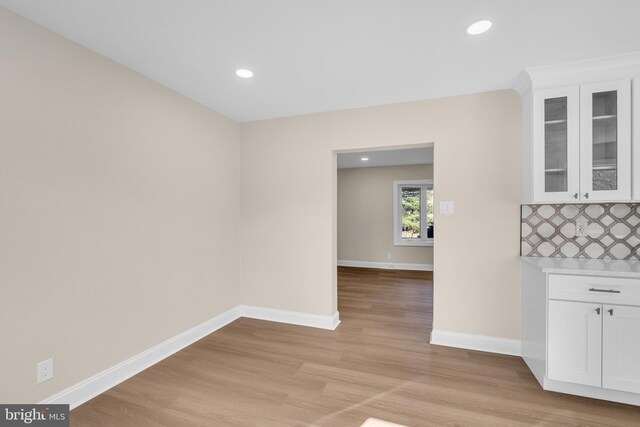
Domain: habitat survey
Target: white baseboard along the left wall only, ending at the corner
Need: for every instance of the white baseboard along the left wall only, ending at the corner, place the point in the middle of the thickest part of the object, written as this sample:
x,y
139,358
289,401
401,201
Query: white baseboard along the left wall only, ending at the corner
x,y
86,390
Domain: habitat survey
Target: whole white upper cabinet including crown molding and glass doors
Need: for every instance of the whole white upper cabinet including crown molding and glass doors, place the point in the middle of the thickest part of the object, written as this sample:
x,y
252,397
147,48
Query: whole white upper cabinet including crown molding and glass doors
x,y
580,141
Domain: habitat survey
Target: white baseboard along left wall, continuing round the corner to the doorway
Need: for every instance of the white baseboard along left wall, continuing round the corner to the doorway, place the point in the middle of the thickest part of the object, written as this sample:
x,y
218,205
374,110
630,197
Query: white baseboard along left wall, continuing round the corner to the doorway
x,y
86,390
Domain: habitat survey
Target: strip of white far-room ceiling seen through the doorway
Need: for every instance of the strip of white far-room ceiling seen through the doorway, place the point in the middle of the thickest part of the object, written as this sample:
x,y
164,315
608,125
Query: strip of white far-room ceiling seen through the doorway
x,y
409,156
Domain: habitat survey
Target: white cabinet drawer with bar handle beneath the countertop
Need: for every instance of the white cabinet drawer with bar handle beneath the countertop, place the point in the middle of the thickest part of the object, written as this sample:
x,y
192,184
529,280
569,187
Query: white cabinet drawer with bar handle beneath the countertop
x,y
607,290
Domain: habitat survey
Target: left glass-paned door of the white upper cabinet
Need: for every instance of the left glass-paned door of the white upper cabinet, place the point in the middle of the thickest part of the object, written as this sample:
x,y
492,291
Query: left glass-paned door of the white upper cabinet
x,y
556,150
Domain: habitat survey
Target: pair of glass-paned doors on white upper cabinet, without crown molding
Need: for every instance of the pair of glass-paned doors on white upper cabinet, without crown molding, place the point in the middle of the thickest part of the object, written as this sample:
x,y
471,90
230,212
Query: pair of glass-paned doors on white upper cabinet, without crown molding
x,y
582,143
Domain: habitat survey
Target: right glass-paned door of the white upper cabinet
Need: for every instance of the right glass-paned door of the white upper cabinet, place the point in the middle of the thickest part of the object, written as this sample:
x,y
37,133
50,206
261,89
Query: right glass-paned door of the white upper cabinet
x,y
605,141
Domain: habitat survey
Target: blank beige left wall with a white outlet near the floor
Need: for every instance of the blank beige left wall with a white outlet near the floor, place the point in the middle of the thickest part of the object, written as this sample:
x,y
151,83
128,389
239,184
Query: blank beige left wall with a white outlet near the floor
x,y
118,212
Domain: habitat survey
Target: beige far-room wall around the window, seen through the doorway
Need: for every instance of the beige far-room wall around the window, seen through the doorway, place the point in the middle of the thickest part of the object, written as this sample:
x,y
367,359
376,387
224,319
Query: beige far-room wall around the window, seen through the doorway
x,y
365,215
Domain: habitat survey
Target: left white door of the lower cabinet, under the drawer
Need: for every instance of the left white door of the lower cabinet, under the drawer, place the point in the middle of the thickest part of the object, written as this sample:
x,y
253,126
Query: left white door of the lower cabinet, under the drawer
x,y
575,332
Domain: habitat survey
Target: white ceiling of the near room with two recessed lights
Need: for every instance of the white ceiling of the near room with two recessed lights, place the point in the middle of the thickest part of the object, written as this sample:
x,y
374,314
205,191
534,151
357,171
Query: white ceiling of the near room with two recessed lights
x,y
323,55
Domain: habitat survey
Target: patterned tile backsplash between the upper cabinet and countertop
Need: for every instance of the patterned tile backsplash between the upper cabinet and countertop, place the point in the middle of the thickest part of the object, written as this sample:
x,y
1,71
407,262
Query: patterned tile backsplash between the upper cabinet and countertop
x,y
550,231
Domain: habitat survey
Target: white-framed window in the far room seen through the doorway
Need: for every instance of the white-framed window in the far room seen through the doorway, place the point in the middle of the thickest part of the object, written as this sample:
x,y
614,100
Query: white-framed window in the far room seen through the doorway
x,y
413,213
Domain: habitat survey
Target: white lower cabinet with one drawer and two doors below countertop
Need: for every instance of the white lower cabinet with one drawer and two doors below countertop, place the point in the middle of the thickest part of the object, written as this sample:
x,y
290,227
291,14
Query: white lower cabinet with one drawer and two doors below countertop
x,y
581,333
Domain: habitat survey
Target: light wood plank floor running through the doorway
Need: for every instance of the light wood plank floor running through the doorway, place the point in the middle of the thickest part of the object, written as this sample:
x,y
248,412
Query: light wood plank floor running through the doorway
x,y
378,363
